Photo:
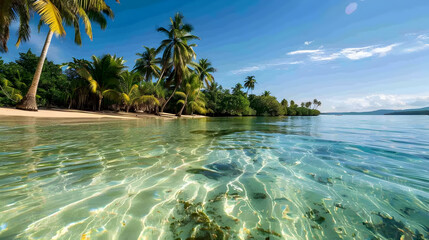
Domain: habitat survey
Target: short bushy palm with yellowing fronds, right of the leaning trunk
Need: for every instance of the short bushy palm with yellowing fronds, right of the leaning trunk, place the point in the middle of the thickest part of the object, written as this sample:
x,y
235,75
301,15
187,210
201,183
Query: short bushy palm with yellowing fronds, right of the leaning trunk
x,y
103,75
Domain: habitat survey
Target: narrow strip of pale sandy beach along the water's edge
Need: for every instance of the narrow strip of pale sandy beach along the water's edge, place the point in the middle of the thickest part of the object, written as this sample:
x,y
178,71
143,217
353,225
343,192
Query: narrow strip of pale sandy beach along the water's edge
x,y
79,114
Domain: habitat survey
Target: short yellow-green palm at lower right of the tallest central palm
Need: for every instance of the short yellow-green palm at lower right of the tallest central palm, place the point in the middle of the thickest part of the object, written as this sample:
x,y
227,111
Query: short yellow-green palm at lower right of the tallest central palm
x,y
189,93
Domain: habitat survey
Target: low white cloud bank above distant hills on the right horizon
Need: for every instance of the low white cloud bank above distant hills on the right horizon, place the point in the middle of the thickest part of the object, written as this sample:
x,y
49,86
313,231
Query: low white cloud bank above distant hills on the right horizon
x,y
376,102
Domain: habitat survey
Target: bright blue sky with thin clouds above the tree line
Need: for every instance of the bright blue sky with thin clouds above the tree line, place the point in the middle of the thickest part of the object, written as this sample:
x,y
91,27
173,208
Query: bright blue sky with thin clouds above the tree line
x,y
351,55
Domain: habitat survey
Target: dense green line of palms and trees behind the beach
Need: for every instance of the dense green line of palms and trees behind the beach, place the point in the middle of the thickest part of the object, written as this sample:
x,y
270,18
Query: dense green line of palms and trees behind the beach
x,y
167,78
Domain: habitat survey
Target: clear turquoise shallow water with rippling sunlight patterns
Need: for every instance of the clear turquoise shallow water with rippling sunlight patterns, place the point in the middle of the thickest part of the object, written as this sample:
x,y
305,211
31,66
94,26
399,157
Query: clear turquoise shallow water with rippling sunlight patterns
x,y
327,177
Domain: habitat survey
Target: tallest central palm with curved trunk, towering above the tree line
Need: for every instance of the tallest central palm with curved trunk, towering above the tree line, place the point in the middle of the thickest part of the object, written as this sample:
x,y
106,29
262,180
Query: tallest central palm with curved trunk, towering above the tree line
x,y
177,52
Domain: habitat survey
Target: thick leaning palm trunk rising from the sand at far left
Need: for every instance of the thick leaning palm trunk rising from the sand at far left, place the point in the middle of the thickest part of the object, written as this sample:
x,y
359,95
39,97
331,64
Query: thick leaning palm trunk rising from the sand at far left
x,y
29,101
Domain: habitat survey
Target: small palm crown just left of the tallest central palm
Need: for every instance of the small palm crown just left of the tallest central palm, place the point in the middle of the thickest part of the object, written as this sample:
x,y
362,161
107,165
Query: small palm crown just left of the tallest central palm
x,y
147,64
